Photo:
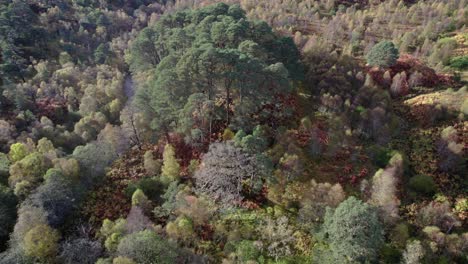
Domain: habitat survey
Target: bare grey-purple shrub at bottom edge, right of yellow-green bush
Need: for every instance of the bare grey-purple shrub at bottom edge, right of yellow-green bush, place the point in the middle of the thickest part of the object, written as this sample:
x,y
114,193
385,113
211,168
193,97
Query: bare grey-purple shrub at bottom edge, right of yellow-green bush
x,y
80,251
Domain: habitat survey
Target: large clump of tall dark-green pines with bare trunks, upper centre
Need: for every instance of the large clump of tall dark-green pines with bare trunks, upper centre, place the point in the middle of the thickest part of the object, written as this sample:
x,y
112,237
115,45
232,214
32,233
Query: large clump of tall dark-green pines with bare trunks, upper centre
x,y
212,53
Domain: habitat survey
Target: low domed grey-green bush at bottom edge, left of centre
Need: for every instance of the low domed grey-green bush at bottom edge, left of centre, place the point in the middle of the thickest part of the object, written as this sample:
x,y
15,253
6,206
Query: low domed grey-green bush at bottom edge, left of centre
x,y
146,247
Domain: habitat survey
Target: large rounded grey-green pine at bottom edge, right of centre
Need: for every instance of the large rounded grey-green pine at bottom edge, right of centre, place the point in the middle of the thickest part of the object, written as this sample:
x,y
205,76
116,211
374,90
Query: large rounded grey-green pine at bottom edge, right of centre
x,y
353,232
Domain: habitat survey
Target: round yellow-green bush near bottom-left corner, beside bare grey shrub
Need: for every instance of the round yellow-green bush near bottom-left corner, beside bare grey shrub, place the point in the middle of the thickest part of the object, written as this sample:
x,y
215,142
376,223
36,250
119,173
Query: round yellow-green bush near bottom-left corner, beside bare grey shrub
x,y
41,242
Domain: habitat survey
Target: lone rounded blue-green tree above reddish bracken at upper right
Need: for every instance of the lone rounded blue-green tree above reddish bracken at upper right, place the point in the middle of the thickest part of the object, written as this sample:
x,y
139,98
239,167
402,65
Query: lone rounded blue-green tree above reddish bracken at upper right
x,y
383,54
